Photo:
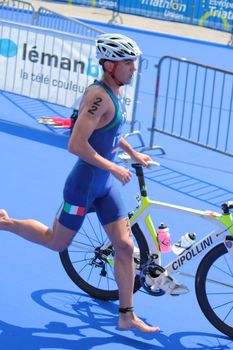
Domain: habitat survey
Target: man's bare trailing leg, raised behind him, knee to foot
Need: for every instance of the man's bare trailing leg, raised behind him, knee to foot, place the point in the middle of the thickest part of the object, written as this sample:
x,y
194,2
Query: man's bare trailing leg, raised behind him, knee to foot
x,y
57,238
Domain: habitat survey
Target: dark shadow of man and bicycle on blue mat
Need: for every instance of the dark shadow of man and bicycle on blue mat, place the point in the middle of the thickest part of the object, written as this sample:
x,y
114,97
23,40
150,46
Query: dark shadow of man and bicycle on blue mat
x,y
98,316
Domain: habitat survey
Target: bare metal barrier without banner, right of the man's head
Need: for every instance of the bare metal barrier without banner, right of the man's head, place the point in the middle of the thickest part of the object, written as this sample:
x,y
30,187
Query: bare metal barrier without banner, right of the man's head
x,y
194,102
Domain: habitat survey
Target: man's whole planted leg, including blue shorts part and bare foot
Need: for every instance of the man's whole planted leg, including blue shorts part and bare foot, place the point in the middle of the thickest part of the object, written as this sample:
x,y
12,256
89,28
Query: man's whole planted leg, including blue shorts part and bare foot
x,y
113,216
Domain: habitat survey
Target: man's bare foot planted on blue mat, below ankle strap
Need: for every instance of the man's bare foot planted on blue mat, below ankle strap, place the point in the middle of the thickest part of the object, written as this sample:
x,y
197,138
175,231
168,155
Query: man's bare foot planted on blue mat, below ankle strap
x,y
130,321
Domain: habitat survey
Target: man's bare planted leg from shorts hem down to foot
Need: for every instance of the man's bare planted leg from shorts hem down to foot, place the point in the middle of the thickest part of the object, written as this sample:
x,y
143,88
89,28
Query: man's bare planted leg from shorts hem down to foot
x,y
119,233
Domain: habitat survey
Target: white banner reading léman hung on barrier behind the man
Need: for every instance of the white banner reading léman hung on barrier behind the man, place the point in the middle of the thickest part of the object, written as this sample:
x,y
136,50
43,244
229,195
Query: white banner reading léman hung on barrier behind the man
x,y
50,66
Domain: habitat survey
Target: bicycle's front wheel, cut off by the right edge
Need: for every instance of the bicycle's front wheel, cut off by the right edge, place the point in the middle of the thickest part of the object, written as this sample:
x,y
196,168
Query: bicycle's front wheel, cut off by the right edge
x,y
214,289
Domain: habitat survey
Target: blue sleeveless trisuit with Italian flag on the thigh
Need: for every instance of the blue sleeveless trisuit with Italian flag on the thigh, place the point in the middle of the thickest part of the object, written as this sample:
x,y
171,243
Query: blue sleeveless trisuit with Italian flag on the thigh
x,y
88,186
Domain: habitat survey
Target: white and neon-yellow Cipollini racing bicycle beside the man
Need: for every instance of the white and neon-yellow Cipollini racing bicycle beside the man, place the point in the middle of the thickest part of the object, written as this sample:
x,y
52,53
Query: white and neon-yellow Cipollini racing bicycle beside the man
x,y
89,260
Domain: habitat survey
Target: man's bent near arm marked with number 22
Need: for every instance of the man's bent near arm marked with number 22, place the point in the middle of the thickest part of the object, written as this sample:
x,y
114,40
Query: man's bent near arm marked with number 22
x,y
94,106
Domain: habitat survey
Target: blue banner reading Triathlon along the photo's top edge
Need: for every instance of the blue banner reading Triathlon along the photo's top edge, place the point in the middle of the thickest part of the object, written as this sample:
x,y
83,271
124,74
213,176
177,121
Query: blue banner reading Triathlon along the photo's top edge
x,y
215,14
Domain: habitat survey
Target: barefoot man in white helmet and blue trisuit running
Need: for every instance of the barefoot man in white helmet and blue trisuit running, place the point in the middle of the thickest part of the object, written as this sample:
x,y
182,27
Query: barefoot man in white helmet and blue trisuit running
x,y
92,181
